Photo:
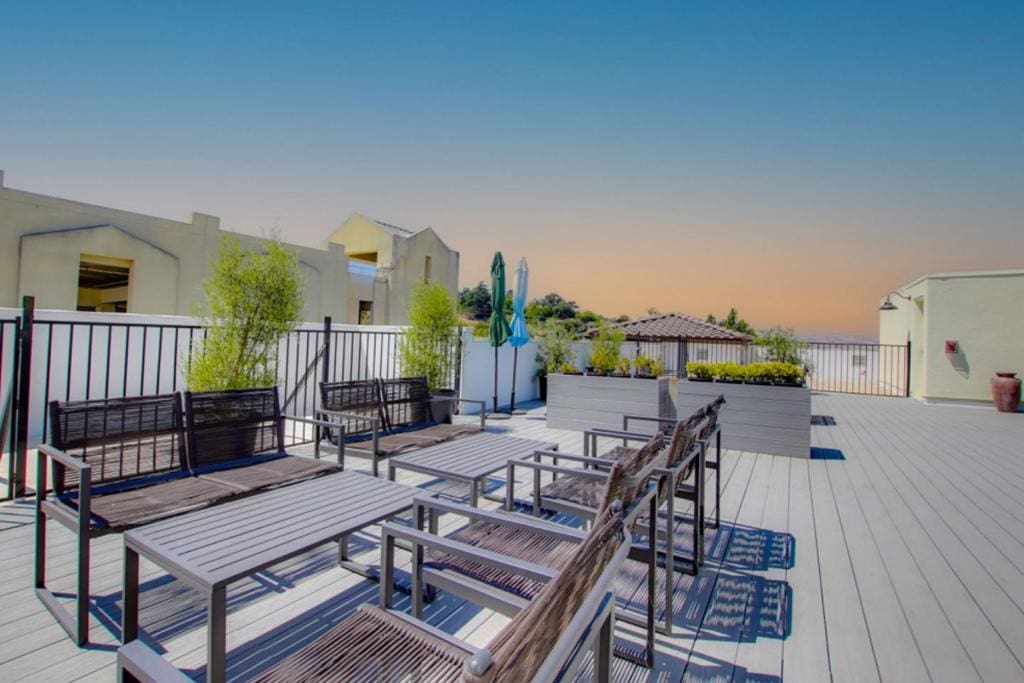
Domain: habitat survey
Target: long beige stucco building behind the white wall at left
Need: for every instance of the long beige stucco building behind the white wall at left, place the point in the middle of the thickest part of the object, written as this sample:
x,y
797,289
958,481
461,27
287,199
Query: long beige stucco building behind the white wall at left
x,y
78,257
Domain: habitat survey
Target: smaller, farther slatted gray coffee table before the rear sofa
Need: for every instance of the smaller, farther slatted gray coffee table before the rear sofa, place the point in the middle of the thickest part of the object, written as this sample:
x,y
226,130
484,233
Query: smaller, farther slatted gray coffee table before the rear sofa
x,y
471,459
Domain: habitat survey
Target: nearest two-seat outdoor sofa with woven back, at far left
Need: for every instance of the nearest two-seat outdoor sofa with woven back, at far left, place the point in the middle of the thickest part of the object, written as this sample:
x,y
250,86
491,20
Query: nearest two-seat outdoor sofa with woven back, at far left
x,y
120,463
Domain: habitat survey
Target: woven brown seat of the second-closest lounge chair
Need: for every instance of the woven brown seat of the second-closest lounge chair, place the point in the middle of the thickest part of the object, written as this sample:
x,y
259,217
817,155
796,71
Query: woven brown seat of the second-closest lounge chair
x,y
518,543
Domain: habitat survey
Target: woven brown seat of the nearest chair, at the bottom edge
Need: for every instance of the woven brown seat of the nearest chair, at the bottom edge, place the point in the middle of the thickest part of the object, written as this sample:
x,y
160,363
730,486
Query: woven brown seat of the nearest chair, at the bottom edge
x,y
372,646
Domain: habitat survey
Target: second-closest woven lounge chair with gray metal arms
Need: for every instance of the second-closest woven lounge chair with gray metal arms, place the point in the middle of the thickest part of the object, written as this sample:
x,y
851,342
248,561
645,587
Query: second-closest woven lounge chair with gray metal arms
x,y
503,561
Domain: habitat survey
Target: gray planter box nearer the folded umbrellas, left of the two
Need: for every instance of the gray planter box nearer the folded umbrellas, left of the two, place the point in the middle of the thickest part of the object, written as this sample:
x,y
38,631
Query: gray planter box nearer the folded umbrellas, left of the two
x,y
581,402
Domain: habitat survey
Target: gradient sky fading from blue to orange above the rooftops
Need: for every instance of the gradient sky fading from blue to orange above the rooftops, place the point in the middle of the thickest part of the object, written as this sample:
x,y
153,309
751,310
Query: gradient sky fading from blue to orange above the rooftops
x,y
794,160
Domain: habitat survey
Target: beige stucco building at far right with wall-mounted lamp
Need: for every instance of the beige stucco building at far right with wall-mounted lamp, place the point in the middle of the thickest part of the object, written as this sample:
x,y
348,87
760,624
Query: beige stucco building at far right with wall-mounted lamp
x,y
980,314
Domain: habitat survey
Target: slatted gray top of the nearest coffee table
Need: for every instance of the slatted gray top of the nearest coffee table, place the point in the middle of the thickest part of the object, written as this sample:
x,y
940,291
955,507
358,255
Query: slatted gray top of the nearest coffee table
x,y
215,547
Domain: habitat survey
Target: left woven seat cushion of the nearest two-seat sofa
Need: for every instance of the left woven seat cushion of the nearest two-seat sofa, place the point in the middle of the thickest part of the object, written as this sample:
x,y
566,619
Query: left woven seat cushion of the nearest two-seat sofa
x,y
123,509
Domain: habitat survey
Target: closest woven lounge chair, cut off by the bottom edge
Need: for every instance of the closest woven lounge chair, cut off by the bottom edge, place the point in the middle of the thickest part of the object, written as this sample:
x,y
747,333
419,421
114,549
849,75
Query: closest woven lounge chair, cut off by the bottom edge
x,y
547,641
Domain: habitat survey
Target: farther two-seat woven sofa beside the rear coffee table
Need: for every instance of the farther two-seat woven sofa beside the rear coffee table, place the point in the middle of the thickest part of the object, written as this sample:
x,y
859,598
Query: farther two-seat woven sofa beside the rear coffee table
x,y
385,418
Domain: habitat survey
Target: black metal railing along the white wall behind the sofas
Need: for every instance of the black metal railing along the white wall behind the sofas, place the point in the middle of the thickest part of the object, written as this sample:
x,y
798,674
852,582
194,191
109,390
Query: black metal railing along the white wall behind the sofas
x,y
76,358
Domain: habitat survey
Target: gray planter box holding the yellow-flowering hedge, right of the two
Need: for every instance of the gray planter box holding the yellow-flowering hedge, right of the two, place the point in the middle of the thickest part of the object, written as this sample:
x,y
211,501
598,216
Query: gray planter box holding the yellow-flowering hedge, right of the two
x,y
759,419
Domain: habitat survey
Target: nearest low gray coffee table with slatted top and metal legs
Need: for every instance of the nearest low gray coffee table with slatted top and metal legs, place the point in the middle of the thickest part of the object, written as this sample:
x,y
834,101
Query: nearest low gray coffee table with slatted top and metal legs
x,y
209,549
